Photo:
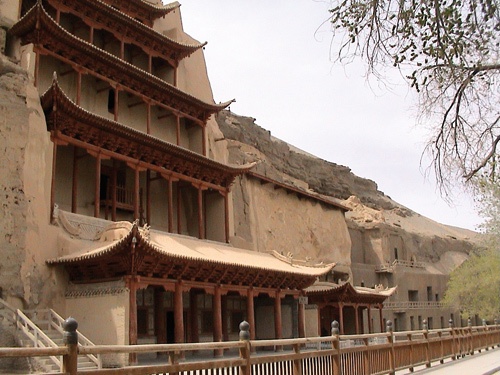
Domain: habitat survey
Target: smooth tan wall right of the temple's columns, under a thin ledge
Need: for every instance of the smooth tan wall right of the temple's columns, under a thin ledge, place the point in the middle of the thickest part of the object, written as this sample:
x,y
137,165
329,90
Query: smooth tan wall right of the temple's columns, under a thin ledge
x,y
267,219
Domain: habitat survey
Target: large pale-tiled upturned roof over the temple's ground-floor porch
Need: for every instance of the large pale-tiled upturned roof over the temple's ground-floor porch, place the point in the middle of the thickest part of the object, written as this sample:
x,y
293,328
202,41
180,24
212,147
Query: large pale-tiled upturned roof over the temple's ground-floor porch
x,y
123,248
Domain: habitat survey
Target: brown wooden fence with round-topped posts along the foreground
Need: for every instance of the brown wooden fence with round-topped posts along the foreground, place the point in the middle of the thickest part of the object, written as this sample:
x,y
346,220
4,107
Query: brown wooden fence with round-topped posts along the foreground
x,y
381,353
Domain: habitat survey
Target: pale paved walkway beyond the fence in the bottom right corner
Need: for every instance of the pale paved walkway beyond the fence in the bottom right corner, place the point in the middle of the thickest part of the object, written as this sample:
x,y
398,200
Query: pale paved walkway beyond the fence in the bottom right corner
x,y
485,363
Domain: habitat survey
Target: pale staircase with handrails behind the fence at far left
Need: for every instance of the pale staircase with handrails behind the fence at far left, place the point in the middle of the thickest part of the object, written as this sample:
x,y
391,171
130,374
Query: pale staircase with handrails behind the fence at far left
x,y
44,328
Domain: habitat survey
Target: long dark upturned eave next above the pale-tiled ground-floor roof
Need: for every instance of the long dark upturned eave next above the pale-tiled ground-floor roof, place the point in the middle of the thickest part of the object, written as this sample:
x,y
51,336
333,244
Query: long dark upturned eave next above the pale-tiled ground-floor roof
x,y
73,124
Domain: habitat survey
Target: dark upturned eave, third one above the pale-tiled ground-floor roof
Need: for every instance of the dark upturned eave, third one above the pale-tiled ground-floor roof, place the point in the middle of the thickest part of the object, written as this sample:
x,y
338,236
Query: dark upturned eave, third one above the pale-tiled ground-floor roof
x,y
100,15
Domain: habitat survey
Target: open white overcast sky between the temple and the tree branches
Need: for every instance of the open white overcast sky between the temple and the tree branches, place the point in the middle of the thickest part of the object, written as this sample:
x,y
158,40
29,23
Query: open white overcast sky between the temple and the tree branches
x,y
274,58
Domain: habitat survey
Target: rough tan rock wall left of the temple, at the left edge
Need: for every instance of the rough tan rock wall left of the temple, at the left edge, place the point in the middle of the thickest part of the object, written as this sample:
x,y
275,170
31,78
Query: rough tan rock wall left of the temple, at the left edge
x,y
25,189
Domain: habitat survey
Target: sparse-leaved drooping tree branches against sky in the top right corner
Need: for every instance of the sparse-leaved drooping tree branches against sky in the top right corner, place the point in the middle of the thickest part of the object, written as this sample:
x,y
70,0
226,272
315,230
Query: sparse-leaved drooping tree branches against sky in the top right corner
x,y
449,51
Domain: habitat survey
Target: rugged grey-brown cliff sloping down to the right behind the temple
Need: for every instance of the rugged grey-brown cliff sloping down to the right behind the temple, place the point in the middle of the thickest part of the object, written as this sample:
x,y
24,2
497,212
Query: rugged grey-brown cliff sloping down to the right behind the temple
x,y
377,224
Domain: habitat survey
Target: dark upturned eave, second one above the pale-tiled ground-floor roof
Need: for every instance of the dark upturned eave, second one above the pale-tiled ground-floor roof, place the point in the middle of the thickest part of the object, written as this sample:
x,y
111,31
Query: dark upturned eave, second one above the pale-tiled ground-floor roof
x,y
39,28
